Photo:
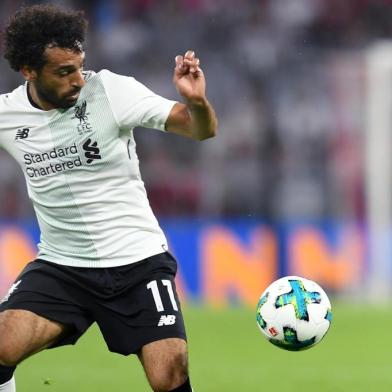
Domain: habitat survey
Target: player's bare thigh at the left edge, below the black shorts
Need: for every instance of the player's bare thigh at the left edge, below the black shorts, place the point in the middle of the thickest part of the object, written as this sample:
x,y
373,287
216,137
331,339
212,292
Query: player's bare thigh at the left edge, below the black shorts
x,y
23,333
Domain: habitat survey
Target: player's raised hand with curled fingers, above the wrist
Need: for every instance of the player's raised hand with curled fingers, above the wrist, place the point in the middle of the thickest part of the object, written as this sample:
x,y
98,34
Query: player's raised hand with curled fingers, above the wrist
x,y
189,78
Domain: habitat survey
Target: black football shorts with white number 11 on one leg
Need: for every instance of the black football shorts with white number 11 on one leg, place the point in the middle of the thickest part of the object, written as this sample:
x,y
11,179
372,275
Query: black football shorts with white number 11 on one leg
x,y
133,304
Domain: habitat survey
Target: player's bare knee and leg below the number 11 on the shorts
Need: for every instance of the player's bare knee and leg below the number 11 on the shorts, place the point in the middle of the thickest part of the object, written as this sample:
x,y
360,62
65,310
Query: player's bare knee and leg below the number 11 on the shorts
x,y
165,363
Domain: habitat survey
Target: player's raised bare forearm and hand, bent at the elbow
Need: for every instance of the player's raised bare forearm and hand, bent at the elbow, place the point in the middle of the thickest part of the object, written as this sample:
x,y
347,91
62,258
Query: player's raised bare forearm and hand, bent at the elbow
x,y
196,117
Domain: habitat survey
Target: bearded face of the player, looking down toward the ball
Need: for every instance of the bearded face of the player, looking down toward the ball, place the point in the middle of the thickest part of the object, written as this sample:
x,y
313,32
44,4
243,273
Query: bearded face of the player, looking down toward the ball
x,y
58,83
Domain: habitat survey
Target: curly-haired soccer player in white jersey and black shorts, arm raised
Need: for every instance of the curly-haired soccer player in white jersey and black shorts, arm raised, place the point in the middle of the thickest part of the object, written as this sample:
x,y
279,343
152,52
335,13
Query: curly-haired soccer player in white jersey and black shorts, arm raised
x,y
102,256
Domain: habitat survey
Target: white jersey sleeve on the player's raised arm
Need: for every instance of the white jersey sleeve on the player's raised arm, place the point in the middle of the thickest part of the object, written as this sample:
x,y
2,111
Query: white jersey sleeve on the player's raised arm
x,y
133,104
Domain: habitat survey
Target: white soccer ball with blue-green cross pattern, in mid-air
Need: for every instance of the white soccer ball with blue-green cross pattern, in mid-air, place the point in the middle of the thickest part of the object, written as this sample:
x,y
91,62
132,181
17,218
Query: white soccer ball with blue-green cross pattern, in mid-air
x,y
294,313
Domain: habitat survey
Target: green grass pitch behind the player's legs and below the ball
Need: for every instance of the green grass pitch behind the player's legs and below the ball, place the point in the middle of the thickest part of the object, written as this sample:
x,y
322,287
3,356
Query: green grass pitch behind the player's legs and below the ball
x,y
229,354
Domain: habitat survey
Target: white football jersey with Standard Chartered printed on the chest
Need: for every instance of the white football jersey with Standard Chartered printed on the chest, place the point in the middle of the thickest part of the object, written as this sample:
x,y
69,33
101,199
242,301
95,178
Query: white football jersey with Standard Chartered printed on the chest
x,y
82,171
